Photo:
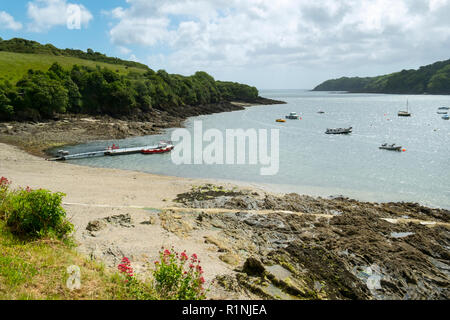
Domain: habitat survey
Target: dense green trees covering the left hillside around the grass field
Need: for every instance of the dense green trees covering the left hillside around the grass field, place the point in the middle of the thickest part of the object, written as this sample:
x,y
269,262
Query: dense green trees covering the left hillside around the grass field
x,y
103,91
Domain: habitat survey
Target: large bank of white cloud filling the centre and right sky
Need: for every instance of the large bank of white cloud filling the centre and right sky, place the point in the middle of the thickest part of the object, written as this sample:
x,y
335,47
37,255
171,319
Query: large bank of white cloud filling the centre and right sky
x,y
255,34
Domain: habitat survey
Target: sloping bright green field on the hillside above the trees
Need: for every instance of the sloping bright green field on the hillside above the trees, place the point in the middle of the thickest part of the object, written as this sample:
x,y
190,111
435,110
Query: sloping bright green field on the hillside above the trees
x,y
13,66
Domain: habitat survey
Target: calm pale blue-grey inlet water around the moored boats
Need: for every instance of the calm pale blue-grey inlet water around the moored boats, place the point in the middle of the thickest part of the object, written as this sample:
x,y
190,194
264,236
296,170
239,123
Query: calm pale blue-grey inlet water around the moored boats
x,y
312,162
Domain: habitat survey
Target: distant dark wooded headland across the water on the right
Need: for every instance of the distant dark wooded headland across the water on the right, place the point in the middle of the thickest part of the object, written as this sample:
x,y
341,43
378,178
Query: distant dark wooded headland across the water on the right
x,y
430,79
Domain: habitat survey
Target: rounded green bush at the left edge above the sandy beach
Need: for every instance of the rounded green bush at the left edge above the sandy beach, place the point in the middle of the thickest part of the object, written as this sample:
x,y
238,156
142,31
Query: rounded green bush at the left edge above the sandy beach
x,y
36,214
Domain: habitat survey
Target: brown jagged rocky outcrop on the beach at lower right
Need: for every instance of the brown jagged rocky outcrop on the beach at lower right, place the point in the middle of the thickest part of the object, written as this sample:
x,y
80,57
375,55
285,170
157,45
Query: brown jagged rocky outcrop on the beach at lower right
x,y
338,248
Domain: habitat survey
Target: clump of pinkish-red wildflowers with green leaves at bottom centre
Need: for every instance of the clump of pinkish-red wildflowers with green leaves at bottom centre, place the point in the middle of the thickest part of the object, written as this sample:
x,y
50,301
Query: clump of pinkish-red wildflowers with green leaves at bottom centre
x,y
178,276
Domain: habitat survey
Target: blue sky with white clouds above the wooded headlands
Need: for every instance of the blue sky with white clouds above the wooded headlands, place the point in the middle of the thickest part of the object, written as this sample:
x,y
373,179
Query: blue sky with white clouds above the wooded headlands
x,y
270,44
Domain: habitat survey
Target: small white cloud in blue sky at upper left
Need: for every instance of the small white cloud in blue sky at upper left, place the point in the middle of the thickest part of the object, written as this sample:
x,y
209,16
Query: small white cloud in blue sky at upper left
x,y
46,14
